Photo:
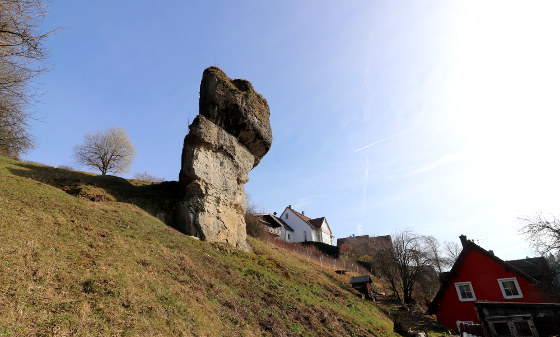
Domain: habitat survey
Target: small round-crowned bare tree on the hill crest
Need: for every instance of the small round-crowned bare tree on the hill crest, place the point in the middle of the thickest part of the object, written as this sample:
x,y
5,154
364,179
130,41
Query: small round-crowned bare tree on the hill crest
x,y
108,151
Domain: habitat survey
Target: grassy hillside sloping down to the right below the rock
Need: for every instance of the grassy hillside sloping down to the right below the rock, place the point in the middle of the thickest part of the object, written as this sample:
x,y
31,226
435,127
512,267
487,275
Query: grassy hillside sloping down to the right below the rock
x,y
72,266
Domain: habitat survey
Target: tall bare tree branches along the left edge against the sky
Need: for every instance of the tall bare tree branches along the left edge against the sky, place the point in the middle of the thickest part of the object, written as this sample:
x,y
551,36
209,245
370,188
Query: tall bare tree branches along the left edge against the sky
x,y
22,57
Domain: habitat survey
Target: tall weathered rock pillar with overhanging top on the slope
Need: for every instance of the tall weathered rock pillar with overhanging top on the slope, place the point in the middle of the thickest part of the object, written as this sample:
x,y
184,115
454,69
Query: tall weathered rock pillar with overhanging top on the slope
x,y
226,140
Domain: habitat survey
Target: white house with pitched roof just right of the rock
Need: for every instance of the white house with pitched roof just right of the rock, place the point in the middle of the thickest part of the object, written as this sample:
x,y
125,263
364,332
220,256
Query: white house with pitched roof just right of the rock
x,y
305,228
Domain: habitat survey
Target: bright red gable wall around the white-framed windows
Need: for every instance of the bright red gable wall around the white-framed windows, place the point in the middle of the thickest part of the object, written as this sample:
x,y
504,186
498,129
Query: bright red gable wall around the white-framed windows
x,y
483,273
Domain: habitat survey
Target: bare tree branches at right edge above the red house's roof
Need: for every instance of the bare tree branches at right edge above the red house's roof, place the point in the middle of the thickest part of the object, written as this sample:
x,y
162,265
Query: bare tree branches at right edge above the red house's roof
x,y
543,232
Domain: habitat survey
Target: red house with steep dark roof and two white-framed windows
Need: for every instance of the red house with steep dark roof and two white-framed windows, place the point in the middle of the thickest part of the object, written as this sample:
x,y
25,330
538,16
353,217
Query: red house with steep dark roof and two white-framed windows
x,y
479,276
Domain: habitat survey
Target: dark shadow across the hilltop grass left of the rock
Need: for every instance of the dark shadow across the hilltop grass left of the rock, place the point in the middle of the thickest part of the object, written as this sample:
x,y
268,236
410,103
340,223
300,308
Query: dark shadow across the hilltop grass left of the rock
x,y
158,199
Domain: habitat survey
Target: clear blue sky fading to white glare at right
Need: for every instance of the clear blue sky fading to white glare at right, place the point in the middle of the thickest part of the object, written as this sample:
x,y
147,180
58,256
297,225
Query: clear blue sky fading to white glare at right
x,y
437,116
